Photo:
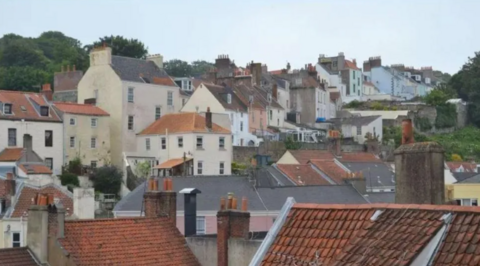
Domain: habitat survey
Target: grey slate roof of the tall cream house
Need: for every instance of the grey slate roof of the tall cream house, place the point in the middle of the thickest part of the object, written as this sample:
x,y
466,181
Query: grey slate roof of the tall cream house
x,y
130,69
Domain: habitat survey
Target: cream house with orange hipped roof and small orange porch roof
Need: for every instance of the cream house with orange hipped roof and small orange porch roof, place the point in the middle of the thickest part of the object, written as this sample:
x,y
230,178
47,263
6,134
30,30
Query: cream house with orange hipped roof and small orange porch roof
x,y
187,144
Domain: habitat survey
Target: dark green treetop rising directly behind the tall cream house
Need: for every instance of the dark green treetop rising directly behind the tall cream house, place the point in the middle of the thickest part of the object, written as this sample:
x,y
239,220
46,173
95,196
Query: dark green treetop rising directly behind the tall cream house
x,y
122,46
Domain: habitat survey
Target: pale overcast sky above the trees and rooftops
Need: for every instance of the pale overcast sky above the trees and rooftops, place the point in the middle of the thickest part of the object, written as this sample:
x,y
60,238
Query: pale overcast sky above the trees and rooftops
x,y
438,33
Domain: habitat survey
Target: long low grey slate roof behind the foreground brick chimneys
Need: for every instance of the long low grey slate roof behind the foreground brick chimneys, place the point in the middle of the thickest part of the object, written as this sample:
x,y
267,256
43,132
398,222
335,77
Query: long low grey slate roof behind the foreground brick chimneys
x,y
215,187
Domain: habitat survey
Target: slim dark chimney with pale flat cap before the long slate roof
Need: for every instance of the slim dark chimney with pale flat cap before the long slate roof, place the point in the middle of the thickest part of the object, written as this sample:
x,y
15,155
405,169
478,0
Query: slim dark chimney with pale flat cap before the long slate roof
x,y
190,210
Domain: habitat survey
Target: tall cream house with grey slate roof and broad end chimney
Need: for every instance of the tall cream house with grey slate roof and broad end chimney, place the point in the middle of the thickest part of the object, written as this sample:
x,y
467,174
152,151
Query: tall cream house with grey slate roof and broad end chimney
x,y
134,92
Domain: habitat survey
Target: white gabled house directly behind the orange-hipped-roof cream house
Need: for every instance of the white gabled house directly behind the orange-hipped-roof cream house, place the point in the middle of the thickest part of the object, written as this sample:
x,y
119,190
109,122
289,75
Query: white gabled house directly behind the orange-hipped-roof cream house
x,y
223,100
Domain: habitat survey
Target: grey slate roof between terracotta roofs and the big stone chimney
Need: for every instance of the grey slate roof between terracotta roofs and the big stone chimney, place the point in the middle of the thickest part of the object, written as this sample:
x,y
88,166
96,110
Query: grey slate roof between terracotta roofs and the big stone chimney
x,y
377,175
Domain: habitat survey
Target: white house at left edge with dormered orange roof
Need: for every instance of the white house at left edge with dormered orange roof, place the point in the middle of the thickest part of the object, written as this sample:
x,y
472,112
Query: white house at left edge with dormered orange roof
x,y
27,120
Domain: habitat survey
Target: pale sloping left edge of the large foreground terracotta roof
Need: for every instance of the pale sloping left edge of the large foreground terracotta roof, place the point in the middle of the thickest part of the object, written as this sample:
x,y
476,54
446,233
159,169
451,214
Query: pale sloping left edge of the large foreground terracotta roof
x,y
272,233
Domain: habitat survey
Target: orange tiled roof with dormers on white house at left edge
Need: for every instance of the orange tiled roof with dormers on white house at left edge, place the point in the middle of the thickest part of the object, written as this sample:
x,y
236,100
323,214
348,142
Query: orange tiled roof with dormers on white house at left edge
x,y
24,106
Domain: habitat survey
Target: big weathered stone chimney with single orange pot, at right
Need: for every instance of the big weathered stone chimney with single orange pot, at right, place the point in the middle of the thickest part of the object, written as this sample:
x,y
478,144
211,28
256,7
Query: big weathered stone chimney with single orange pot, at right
x,y
419,170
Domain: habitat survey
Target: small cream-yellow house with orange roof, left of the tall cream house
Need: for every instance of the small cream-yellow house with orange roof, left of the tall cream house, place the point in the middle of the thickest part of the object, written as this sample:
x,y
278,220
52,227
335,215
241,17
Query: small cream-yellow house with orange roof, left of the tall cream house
x,y
86,133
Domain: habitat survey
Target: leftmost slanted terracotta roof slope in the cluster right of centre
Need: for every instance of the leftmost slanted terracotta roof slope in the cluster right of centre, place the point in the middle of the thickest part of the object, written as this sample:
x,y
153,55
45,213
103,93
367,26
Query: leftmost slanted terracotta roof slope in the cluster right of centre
x,y
302,174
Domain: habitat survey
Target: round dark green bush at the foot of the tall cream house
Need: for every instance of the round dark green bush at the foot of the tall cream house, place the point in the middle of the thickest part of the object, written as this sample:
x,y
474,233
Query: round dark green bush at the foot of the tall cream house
x,y
107,179
